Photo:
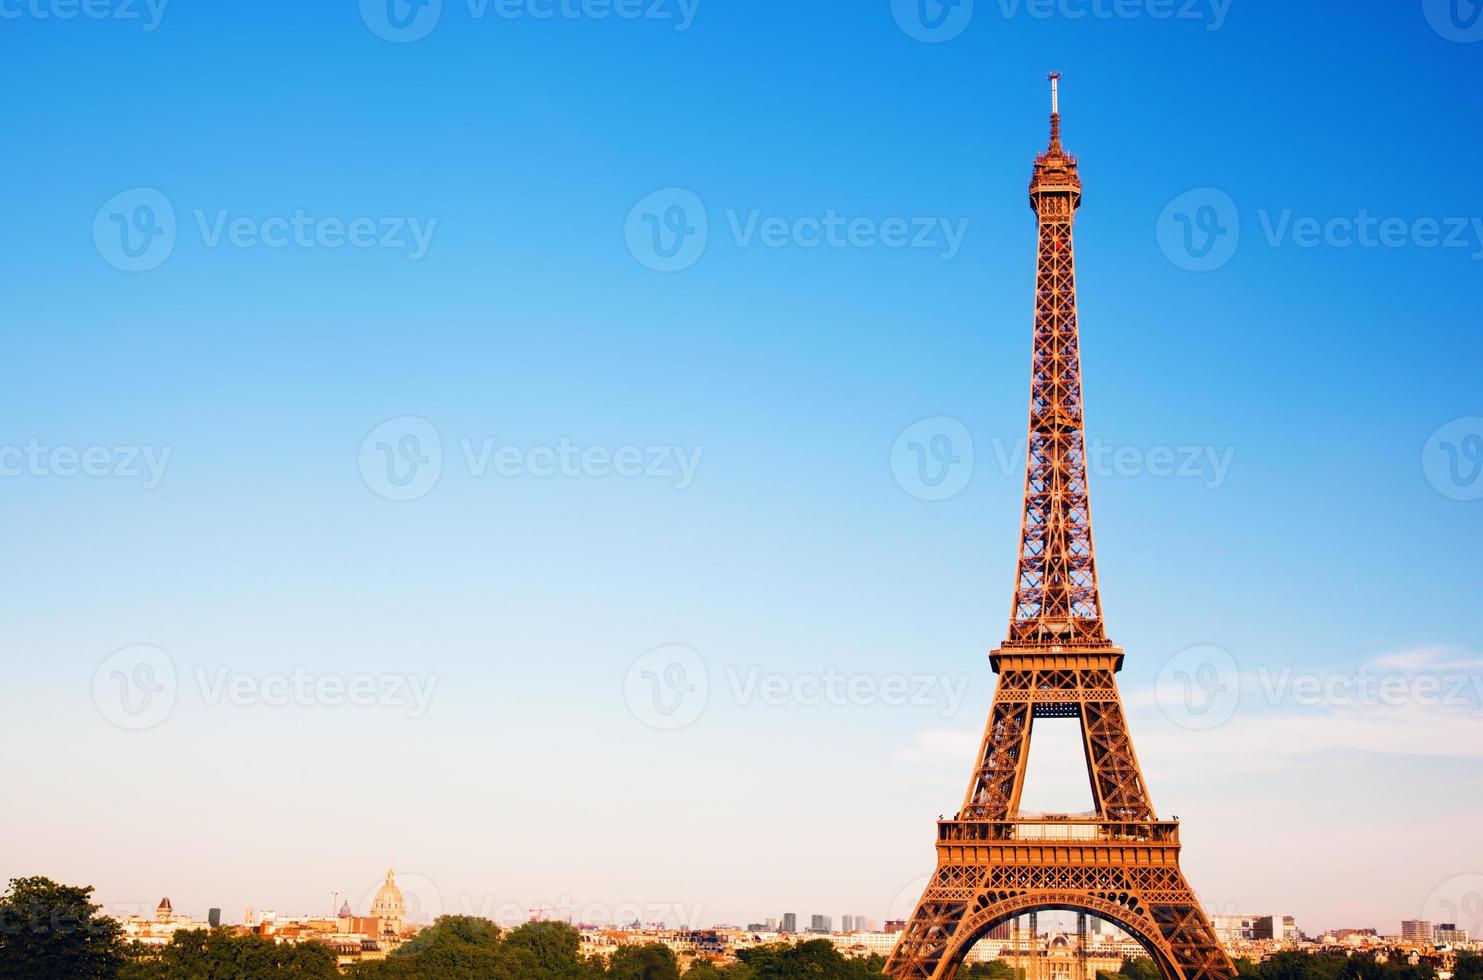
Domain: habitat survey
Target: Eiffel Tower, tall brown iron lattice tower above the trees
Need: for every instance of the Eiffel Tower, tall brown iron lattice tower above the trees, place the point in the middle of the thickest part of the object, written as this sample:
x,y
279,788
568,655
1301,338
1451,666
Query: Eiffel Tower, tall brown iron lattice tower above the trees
x,y
997,865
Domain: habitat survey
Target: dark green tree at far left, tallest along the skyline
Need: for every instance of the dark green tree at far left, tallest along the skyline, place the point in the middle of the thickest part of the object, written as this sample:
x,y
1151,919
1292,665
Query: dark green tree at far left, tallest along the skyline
x,y
51,930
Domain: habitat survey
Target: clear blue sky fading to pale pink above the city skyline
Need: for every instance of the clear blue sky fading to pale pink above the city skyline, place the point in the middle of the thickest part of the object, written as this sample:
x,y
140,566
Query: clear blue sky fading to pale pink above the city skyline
x,y
1316,365
